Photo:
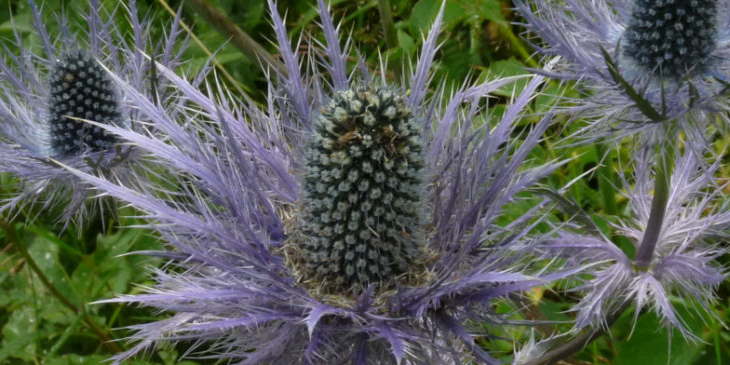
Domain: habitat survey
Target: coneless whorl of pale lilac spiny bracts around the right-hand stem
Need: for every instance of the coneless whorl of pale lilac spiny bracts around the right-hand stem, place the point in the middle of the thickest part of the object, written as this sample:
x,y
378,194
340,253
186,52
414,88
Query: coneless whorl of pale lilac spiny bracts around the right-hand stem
x,y
681,262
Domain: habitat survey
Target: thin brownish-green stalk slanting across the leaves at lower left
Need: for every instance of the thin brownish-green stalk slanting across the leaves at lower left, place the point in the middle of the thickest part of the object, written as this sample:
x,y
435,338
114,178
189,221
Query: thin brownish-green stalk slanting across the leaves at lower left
x,y
79,310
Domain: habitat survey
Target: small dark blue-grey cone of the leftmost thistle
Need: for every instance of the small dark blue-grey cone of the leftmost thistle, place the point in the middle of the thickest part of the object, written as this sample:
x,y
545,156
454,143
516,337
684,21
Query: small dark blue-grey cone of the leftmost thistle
x,y
81,89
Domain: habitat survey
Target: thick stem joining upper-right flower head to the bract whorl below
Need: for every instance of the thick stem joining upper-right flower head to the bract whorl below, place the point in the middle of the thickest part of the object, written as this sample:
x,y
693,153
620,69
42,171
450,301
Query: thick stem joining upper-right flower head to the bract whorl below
x,y
664,166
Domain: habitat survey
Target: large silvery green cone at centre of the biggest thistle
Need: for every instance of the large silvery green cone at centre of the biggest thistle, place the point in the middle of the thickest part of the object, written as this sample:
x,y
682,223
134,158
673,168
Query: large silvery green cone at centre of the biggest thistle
x,y
362,213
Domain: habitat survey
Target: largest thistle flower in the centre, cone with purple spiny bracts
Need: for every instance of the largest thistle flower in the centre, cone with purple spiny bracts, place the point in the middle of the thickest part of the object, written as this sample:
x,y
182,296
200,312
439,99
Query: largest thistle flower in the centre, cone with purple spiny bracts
x,y
345,222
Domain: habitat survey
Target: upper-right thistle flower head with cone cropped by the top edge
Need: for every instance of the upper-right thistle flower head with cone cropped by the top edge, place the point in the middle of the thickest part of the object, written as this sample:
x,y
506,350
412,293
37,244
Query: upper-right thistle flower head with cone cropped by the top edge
x,y
648,63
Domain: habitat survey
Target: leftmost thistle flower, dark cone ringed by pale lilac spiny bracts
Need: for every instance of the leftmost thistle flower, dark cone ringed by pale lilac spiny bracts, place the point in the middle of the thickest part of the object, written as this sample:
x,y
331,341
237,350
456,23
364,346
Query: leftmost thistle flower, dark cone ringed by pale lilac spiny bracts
x,y
49,98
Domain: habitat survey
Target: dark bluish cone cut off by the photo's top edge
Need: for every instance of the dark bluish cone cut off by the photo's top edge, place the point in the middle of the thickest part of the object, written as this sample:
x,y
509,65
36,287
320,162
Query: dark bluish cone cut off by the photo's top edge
x,y
671,37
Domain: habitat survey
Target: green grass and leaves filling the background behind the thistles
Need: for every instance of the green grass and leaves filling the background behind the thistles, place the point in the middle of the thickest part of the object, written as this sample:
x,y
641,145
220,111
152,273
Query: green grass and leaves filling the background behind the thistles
x,y
478,41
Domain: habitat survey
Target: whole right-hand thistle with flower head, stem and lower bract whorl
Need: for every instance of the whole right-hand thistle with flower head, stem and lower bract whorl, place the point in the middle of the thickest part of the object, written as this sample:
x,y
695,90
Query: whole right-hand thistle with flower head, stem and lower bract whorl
x,y
655,67
